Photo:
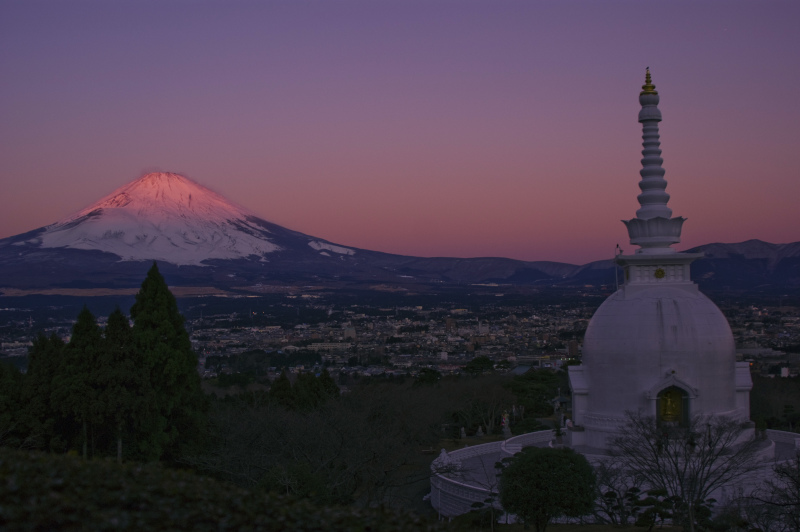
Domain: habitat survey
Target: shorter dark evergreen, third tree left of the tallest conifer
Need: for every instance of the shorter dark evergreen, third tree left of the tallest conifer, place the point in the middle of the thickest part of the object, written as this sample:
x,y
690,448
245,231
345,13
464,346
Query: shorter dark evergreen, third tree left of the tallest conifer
x,y
44,426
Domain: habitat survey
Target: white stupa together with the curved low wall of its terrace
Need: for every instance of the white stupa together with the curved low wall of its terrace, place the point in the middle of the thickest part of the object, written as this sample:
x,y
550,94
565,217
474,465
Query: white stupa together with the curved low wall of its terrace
x,y
656,346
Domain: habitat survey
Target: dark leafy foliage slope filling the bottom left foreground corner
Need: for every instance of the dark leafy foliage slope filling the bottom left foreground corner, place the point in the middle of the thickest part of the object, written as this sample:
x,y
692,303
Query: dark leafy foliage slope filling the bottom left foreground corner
x,y
49,492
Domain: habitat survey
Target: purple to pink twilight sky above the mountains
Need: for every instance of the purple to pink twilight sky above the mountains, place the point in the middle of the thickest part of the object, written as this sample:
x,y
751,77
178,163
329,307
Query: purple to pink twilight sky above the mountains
x,y
431,128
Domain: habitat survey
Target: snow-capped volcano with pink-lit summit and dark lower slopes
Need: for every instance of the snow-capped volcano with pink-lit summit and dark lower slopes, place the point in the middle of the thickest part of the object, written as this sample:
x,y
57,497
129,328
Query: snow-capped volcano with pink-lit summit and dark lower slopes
x,y
195,234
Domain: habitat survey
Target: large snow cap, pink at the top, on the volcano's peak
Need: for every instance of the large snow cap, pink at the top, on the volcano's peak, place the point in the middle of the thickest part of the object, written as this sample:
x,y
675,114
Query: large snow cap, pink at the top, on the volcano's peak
x,y
162,216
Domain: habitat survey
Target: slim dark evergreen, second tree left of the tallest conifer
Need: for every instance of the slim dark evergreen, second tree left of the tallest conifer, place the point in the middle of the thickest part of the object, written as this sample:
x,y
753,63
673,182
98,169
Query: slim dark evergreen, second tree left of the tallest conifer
x,y
75,391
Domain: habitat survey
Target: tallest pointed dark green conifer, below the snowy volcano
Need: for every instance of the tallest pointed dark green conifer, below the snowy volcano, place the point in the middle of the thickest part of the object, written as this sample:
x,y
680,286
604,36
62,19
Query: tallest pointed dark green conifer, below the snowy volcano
x,y
173,403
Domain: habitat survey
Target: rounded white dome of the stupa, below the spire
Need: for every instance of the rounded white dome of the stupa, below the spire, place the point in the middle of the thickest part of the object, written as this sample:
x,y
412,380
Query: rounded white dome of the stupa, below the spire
x,y
642,341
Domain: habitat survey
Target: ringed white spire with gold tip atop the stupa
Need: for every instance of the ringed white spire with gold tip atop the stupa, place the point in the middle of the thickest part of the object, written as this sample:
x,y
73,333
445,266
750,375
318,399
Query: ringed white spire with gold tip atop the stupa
x,y
653,229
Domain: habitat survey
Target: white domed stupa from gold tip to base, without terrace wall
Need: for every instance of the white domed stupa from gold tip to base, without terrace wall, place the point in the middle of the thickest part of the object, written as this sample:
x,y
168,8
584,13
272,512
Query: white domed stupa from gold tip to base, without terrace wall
x,y
657,345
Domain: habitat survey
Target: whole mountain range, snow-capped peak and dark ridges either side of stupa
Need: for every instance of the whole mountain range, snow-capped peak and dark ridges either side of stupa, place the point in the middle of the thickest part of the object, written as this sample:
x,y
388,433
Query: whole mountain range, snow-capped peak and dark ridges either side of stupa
x,y
199,238
